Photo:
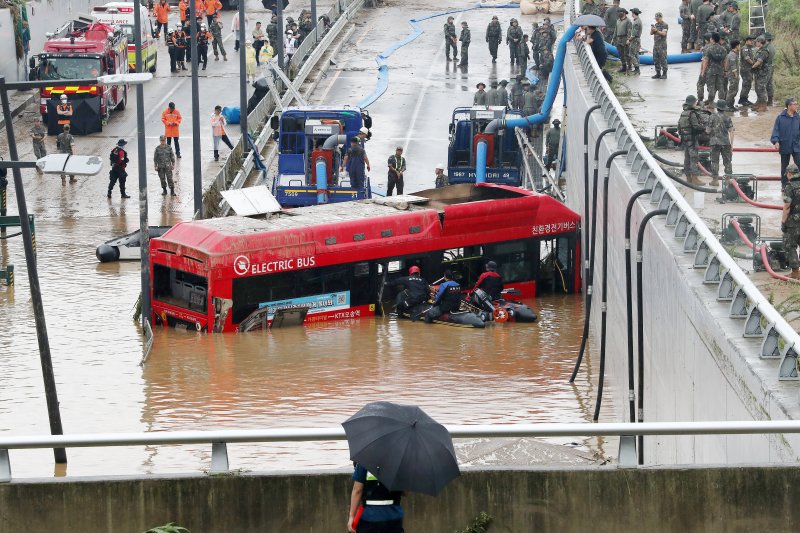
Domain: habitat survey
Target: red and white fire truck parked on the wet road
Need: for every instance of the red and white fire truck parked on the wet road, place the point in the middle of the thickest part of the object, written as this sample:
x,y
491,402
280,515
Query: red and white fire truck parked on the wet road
x,y
81,49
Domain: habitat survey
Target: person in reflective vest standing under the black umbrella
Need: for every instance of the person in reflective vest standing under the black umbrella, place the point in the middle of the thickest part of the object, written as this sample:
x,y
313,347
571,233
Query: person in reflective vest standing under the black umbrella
x,y
372,497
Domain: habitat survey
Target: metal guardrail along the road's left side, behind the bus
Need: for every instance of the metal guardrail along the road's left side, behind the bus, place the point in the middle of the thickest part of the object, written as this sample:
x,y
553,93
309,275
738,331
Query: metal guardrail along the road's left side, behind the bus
x,y
235,170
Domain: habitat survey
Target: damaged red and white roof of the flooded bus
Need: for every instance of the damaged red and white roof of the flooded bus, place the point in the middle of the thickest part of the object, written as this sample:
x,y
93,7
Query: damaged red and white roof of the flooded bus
x,y
455,211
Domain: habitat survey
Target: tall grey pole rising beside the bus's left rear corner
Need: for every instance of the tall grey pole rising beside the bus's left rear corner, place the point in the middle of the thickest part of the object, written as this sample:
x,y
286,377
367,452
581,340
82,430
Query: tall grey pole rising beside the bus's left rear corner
x,y
144,230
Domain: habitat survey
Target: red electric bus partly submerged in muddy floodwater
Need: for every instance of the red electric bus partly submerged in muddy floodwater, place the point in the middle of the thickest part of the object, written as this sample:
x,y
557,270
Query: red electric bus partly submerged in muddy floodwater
x,y
335,258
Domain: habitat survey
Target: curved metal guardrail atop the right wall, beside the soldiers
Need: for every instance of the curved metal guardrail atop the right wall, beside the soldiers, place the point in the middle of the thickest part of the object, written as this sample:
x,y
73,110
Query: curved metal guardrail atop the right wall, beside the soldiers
x,y
747,303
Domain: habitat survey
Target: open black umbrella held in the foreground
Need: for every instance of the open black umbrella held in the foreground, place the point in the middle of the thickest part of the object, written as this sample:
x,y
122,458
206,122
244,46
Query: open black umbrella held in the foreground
x,y
402,446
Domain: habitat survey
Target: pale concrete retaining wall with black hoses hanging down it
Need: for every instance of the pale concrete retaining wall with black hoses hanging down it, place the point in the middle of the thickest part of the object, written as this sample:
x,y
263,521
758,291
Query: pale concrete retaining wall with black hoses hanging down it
x,y
697,364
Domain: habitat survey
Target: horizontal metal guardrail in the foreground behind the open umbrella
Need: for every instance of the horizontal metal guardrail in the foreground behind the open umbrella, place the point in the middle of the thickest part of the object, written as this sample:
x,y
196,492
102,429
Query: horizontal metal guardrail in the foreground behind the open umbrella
x,y
219,440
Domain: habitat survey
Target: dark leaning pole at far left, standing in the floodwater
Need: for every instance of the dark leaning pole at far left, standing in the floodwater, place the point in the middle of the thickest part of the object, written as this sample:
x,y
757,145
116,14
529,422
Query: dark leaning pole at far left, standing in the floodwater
x,y
51,395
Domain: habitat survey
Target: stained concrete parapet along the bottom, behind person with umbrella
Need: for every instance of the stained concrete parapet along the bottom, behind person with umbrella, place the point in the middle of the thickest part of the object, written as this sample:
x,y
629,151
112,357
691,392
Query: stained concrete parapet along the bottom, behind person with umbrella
x,y
601,499
